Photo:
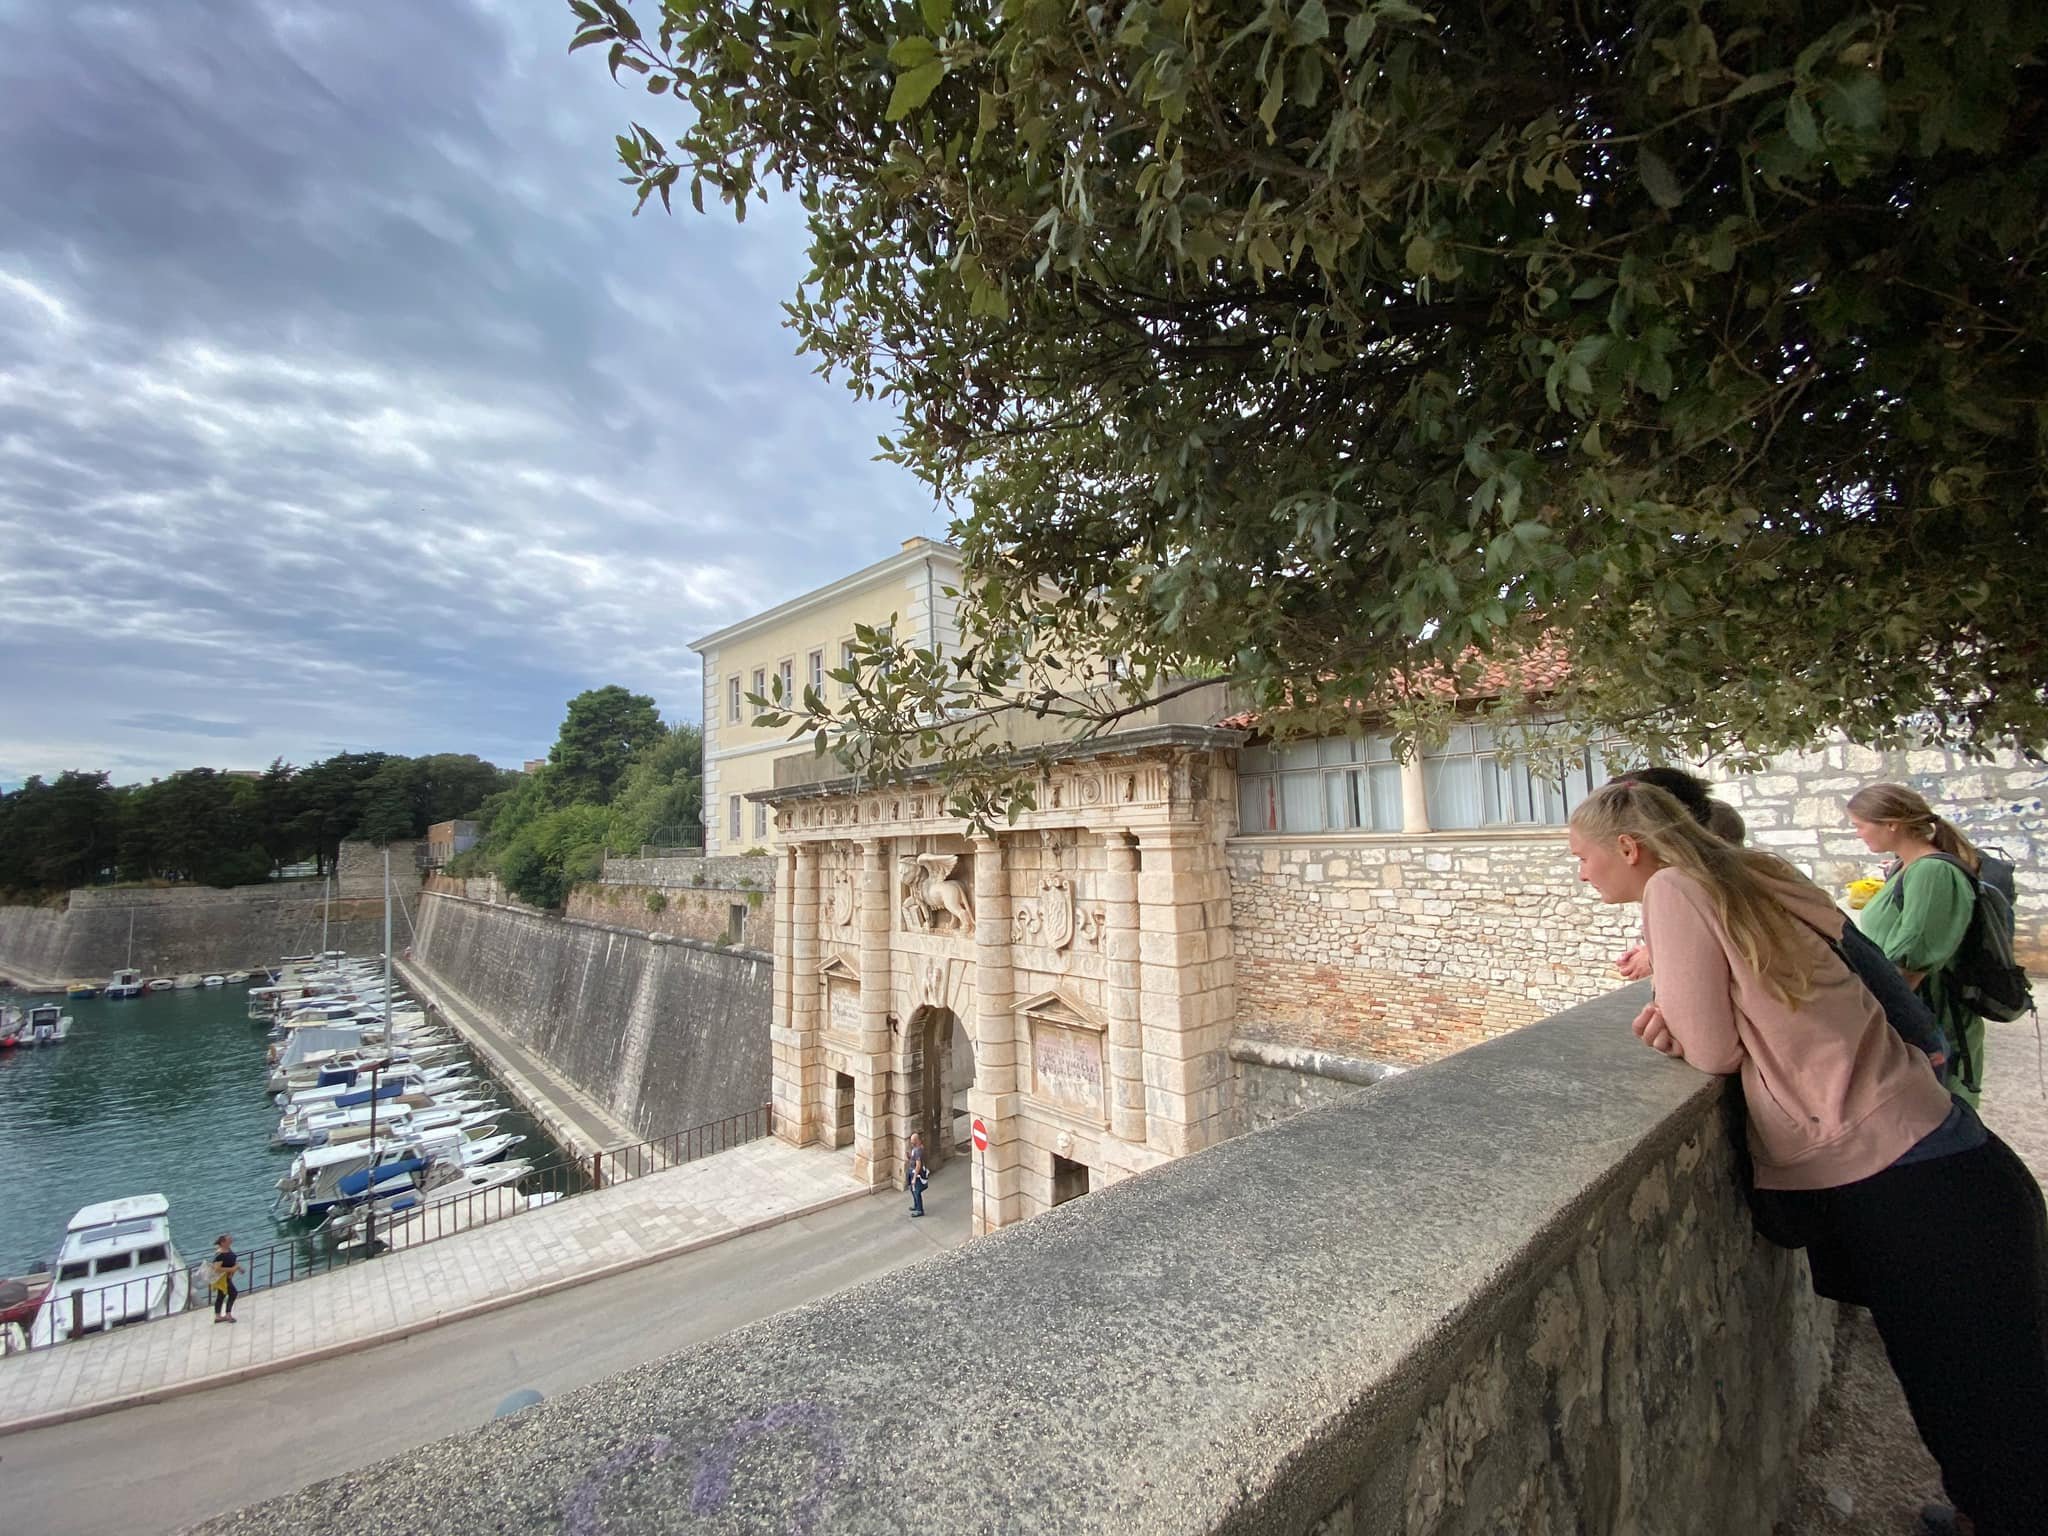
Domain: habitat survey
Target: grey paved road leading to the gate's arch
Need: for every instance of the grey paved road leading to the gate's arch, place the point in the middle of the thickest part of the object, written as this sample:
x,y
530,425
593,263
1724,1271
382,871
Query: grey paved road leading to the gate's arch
x,y
169,1465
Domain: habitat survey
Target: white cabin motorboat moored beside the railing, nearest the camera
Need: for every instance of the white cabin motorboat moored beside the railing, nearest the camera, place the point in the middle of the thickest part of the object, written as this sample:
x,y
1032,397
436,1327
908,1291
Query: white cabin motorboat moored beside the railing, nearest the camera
x,y
118,1267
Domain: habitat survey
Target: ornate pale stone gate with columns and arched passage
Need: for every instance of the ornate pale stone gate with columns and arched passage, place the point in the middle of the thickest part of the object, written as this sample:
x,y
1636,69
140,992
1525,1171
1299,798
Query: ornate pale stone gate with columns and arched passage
x,y
1068,980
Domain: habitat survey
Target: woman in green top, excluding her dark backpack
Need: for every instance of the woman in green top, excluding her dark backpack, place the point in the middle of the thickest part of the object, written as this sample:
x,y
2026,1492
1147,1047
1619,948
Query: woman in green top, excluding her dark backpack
x,y
1922,914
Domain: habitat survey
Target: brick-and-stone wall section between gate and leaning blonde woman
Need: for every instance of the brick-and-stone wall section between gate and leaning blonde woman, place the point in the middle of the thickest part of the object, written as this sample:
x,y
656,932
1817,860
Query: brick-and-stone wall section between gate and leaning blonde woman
x,y
1408,949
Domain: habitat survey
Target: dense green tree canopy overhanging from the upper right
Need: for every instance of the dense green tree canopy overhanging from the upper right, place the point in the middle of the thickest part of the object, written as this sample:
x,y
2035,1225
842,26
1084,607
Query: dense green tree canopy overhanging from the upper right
x,y
1318,343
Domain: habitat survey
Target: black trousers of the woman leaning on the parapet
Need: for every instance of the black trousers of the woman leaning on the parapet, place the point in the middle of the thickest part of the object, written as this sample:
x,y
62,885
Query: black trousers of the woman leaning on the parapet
x,y
1951,1258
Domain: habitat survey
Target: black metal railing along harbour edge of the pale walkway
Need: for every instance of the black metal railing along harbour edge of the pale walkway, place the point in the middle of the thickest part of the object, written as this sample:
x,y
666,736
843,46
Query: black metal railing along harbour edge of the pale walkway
x,y
380,1232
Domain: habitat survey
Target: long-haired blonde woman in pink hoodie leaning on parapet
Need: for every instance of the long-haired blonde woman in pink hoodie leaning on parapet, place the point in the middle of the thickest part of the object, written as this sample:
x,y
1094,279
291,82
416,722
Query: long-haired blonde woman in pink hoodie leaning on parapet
x,y
1900,1195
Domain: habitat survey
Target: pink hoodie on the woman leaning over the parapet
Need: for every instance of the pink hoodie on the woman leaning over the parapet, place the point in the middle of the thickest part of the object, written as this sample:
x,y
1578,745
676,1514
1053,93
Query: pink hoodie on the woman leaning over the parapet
x,y
1834,1093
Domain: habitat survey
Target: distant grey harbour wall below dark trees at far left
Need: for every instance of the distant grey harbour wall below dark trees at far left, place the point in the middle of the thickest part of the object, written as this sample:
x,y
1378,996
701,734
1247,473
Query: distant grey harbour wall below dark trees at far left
x,y
179,931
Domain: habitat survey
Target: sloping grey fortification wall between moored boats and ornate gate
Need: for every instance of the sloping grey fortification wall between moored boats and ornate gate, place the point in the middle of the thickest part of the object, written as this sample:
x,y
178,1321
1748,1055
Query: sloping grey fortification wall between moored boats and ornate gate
x,y
665,1033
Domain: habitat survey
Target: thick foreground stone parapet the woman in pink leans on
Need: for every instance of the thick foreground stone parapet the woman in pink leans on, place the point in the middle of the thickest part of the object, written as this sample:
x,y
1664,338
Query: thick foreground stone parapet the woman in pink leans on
x,y
1510,1293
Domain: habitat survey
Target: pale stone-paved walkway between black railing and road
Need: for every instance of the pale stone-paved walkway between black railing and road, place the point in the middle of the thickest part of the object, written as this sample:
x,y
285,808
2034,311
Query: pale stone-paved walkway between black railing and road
x,y
423,1287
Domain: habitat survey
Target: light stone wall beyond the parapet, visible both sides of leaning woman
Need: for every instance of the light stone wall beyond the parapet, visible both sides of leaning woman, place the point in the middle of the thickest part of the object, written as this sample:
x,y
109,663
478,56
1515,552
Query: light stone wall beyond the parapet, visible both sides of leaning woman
x,y
1410,947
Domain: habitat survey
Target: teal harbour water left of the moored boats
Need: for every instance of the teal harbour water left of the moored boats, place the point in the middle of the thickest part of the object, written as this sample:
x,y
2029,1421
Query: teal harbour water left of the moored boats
x,y
153,1095
